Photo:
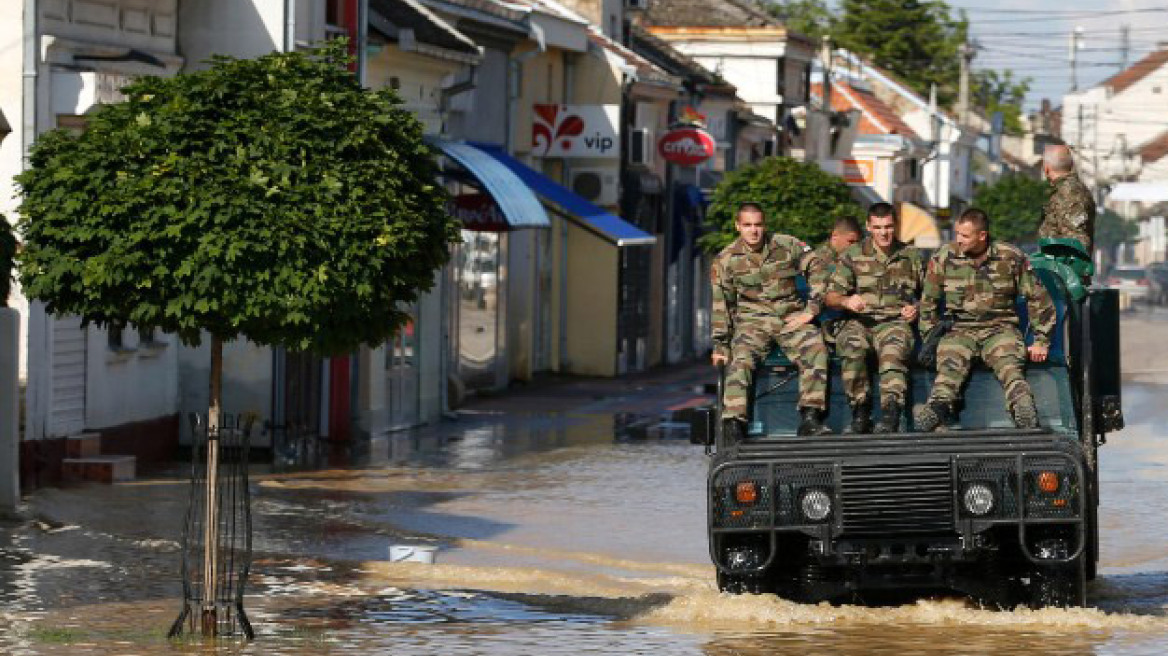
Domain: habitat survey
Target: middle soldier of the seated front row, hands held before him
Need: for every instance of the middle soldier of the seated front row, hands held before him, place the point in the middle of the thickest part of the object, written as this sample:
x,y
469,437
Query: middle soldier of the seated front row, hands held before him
x,y
877,283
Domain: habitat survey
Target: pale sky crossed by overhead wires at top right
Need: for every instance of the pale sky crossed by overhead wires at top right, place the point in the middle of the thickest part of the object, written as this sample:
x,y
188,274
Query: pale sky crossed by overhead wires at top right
x,y
1033,39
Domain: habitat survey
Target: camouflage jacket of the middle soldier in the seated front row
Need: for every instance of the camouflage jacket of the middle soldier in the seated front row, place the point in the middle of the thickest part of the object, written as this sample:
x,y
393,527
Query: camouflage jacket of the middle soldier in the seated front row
x,y
886,283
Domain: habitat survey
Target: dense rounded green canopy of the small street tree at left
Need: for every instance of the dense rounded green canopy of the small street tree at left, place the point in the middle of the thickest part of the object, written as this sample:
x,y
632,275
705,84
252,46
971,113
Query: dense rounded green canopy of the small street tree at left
x,y
272,199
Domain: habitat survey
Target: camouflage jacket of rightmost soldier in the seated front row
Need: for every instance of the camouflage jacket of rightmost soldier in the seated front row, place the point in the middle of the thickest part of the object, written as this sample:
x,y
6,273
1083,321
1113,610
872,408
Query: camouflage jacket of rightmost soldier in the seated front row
x,y
983,296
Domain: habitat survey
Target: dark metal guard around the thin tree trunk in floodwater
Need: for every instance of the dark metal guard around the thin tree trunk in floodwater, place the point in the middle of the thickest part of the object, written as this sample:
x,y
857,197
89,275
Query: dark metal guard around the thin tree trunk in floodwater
x,y
217,539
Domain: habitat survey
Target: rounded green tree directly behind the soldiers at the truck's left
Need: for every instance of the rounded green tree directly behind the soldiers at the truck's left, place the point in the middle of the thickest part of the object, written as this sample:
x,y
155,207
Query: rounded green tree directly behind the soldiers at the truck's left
x,y
799,199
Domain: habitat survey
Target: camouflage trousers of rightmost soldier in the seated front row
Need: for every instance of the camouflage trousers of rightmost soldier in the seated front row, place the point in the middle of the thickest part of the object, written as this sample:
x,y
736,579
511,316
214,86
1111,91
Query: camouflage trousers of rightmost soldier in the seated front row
x,y
1000,347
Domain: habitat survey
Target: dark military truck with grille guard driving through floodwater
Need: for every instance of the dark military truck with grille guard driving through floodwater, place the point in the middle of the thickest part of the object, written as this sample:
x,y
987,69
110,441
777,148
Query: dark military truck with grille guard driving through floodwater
x,y
1006,517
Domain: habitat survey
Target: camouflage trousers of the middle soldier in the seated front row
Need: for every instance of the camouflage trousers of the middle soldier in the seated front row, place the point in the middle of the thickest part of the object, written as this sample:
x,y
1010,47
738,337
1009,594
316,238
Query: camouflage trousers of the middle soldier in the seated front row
x,y
893,343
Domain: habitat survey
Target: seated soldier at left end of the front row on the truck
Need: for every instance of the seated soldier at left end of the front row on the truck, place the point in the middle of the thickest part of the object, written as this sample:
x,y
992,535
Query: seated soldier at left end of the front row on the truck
x,y
756,303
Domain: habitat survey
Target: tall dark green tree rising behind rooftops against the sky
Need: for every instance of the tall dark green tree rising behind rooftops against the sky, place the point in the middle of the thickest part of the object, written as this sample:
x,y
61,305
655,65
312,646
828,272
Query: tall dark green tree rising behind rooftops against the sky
x,y
916,40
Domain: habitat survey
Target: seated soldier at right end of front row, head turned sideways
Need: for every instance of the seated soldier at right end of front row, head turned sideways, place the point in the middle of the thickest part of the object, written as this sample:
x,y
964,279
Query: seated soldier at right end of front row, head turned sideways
x,y
979,281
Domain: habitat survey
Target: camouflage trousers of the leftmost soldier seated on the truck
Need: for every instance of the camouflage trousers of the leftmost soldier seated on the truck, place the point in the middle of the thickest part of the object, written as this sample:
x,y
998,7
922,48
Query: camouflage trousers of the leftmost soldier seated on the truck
x,y
803,345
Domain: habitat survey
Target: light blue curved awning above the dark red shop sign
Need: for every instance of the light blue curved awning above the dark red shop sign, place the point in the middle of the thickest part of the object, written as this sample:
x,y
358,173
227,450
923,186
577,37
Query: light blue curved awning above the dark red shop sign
x,y
515,198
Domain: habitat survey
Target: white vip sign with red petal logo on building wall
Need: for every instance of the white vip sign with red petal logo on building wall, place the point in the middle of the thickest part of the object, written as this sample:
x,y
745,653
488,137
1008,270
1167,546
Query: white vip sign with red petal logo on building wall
x,y
576,131
